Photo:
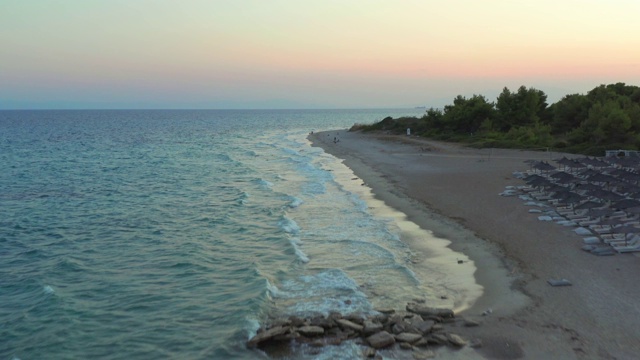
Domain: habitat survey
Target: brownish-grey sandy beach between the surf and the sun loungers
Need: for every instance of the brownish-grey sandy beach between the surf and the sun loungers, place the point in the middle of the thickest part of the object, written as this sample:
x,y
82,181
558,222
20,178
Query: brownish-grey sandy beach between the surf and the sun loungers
x,y
453,191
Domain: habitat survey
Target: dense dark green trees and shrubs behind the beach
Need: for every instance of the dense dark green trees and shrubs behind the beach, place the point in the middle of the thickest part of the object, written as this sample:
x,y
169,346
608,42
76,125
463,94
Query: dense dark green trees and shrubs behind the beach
x,y
607,117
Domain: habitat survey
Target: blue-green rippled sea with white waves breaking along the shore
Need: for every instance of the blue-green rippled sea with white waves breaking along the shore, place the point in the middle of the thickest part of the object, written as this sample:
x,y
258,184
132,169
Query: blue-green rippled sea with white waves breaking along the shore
x,y
175,234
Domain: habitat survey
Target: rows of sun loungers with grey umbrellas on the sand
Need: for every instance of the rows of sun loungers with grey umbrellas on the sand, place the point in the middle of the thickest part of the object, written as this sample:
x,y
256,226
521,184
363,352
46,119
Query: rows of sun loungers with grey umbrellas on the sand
x,y
599,197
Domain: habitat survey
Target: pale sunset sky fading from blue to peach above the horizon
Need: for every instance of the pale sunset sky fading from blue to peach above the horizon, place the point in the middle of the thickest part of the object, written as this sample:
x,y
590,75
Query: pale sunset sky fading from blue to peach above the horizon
x,y
261,54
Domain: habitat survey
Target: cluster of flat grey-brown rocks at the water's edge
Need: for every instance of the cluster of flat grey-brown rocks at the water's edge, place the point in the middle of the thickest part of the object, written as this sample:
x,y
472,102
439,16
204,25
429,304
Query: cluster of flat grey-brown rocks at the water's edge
x,y
420,327
